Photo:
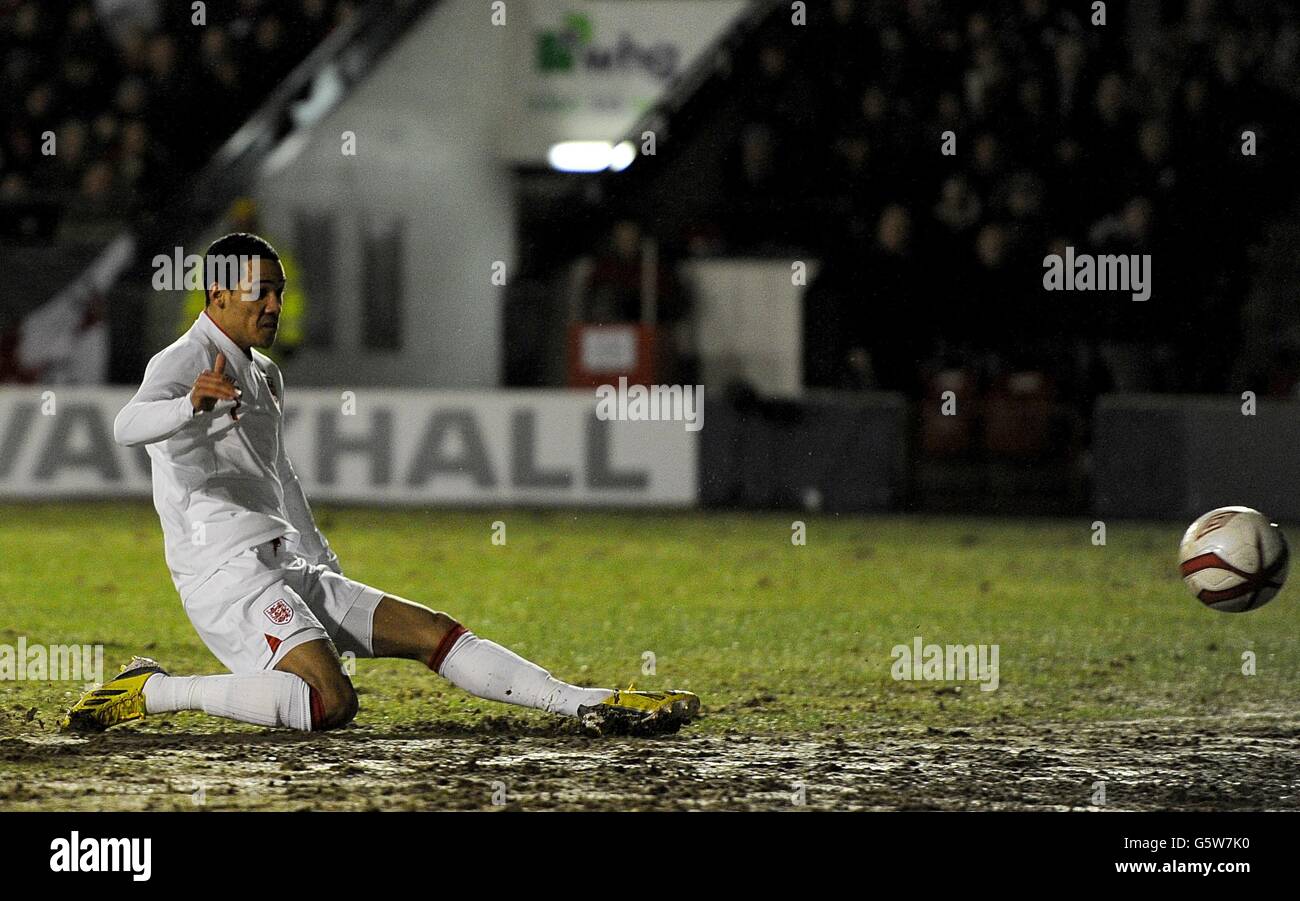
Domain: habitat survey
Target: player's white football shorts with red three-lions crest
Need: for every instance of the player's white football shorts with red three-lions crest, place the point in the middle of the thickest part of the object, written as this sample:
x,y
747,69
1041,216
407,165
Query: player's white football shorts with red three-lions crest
x,y
267,601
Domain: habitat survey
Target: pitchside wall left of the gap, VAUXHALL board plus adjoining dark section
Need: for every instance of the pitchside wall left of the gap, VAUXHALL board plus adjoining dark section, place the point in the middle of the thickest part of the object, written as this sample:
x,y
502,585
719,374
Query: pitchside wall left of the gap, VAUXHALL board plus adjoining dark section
x,y
535,448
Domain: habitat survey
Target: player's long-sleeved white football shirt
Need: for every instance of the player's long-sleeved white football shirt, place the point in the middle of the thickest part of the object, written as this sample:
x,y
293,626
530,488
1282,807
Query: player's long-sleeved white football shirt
x,y
220,484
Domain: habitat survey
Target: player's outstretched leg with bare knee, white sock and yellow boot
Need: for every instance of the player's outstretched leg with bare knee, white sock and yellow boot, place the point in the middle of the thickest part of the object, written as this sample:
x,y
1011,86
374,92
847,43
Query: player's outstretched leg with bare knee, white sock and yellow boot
x,y
487,670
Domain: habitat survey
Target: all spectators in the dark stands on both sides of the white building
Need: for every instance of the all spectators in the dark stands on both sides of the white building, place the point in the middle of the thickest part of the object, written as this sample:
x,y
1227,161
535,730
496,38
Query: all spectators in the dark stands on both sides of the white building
x,y
1107,138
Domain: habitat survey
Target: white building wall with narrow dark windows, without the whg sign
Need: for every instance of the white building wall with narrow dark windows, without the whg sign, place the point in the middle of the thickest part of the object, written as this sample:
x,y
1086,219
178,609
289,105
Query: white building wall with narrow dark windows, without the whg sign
x,y
402,237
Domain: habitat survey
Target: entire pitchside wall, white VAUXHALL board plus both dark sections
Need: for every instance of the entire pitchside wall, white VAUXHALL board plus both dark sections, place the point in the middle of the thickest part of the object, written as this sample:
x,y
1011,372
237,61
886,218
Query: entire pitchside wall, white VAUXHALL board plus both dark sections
x,y
1154,457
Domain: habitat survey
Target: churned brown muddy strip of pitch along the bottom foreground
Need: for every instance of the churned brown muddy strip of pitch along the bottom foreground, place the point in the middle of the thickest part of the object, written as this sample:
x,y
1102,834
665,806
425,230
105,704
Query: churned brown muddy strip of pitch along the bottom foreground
x,y
1154,765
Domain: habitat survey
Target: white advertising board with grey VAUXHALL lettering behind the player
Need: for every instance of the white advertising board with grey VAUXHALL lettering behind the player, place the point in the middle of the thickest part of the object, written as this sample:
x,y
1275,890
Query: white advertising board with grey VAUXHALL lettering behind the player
x,y
379,448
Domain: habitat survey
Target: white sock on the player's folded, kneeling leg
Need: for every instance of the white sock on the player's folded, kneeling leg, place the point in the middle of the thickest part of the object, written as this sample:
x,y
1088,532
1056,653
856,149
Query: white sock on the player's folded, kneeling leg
x,y
267,699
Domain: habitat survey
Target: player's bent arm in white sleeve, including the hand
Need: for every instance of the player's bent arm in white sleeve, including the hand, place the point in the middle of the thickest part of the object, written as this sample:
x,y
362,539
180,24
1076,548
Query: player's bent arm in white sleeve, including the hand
x,y
172,397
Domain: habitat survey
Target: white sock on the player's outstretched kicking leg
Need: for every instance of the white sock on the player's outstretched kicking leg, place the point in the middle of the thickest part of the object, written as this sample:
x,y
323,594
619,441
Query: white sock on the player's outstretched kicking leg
x,y
489,672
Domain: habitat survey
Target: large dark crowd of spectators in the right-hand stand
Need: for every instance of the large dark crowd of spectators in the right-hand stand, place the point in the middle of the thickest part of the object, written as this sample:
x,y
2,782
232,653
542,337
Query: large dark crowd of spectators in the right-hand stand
x,y
1067,133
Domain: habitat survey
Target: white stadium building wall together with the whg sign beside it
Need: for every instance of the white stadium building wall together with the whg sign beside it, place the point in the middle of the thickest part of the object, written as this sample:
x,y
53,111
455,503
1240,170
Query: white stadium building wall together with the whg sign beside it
x,y
409,244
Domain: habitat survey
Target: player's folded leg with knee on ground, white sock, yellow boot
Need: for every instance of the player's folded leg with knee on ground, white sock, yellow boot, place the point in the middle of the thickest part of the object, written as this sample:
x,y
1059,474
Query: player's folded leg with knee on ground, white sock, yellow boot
x,y
304,692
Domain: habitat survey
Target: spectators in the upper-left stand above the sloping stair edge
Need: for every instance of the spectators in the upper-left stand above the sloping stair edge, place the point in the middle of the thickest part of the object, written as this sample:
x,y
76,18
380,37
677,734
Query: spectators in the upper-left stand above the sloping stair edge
x,y
136,96
